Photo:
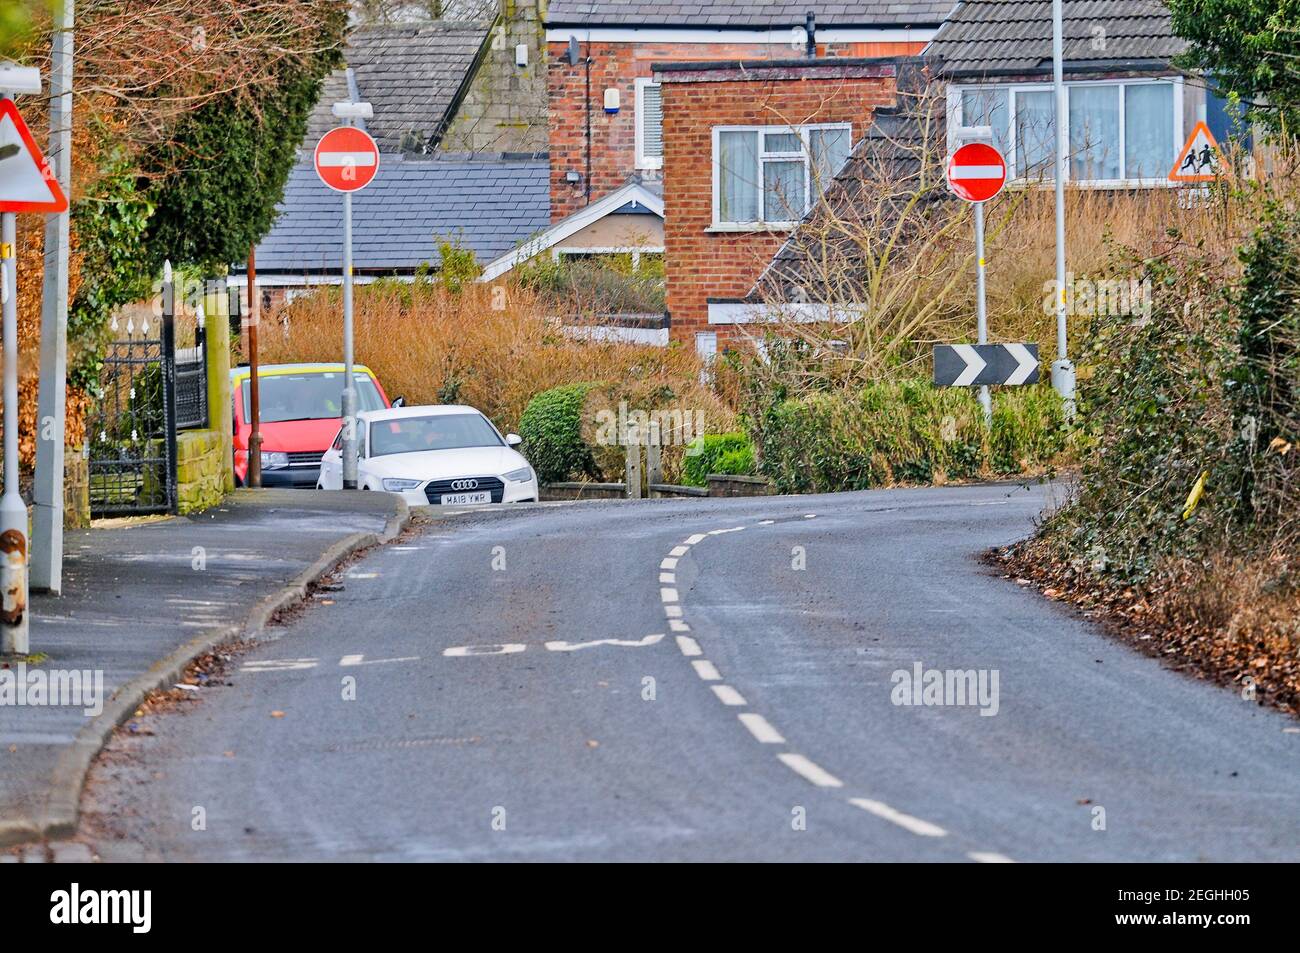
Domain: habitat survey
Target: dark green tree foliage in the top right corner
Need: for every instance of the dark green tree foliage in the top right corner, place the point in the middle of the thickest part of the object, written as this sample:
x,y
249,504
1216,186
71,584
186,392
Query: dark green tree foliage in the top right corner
x,y
1253,51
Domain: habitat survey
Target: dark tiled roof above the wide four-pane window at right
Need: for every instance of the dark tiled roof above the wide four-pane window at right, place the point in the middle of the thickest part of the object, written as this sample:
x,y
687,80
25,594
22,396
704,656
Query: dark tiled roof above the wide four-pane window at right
x,y
1015,37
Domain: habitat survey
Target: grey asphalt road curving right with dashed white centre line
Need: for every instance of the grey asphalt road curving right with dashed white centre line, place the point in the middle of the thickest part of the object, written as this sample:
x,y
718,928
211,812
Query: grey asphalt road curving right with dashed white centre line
x,y
747,711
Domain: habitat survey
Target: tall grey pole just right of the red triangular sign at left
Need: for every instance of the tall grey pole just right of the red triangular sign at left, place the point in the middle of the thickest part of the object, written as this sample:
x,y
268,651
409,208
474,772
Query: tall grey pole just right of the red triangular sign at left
x,y
47,542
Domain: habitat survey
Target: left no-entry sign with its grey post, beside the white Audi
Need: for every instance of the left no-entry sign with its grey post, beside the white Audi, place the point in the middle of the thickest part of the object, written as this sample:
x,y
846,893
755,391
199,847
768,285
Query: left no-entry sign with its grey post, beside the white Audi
x,y
346,162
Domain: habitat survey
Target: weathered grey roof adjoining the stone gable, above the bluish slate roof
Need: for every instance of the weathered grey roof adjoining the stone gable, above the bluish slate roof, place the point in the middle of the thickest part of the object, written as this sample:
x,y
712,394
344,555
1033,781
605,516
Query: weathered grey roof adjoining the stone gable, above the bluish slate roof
x,y
411,76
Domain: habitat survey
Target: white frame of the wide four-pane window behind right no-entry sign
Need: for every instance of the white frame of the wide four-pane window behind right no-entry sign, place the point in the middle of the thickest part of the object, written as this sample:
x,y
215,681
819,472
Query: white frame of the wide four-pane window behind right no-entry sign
x,y
957,131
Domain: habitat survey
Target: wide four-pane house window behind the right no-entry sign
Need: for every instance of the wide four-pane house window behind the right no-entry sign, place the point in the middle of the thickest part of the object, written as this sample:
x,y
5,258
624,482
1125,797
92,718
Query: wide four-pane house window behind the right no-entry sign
x,y
1119,133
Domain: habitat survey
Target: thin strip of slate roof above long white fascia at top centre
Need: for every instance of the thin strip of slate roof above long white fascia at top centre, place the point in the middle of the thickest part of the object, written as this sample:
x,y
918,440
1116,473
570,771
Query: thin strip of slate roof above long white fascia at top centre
x,y
746,15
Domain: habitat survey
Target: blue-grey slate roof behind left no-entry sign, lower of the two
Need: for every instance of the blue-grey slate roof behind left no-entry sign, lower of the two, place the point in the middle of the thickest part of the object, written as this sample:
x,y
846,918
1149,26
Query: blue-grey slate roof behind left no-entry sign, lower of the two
x,y
491,206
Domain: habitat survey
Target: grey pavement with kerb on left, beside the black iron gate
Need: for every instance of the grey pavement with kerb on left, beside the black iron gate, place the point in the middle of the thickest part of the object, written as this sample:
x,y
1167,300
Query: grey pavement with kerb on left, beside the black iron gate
x,y
141,600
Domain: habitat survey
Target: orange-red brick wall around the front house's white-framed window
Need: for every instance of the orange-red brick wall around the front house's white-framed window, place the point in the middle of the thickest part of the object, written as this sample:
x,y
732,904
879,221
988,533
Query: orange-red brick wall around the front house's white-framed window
x,y
703,265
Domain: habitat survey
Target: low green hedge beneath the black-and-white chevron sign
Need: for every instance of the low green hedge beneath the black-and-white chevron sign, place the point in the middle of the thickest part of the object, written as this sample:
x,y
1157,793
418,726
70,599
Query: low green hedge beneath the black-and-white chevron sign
x,y
905,432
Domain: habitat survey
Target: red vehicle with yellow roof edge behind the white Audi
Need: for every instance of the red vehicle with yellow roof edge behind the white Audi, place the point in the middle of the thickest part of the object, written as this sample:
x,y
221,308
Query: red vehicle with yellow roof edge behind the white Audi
x,y
301,414
